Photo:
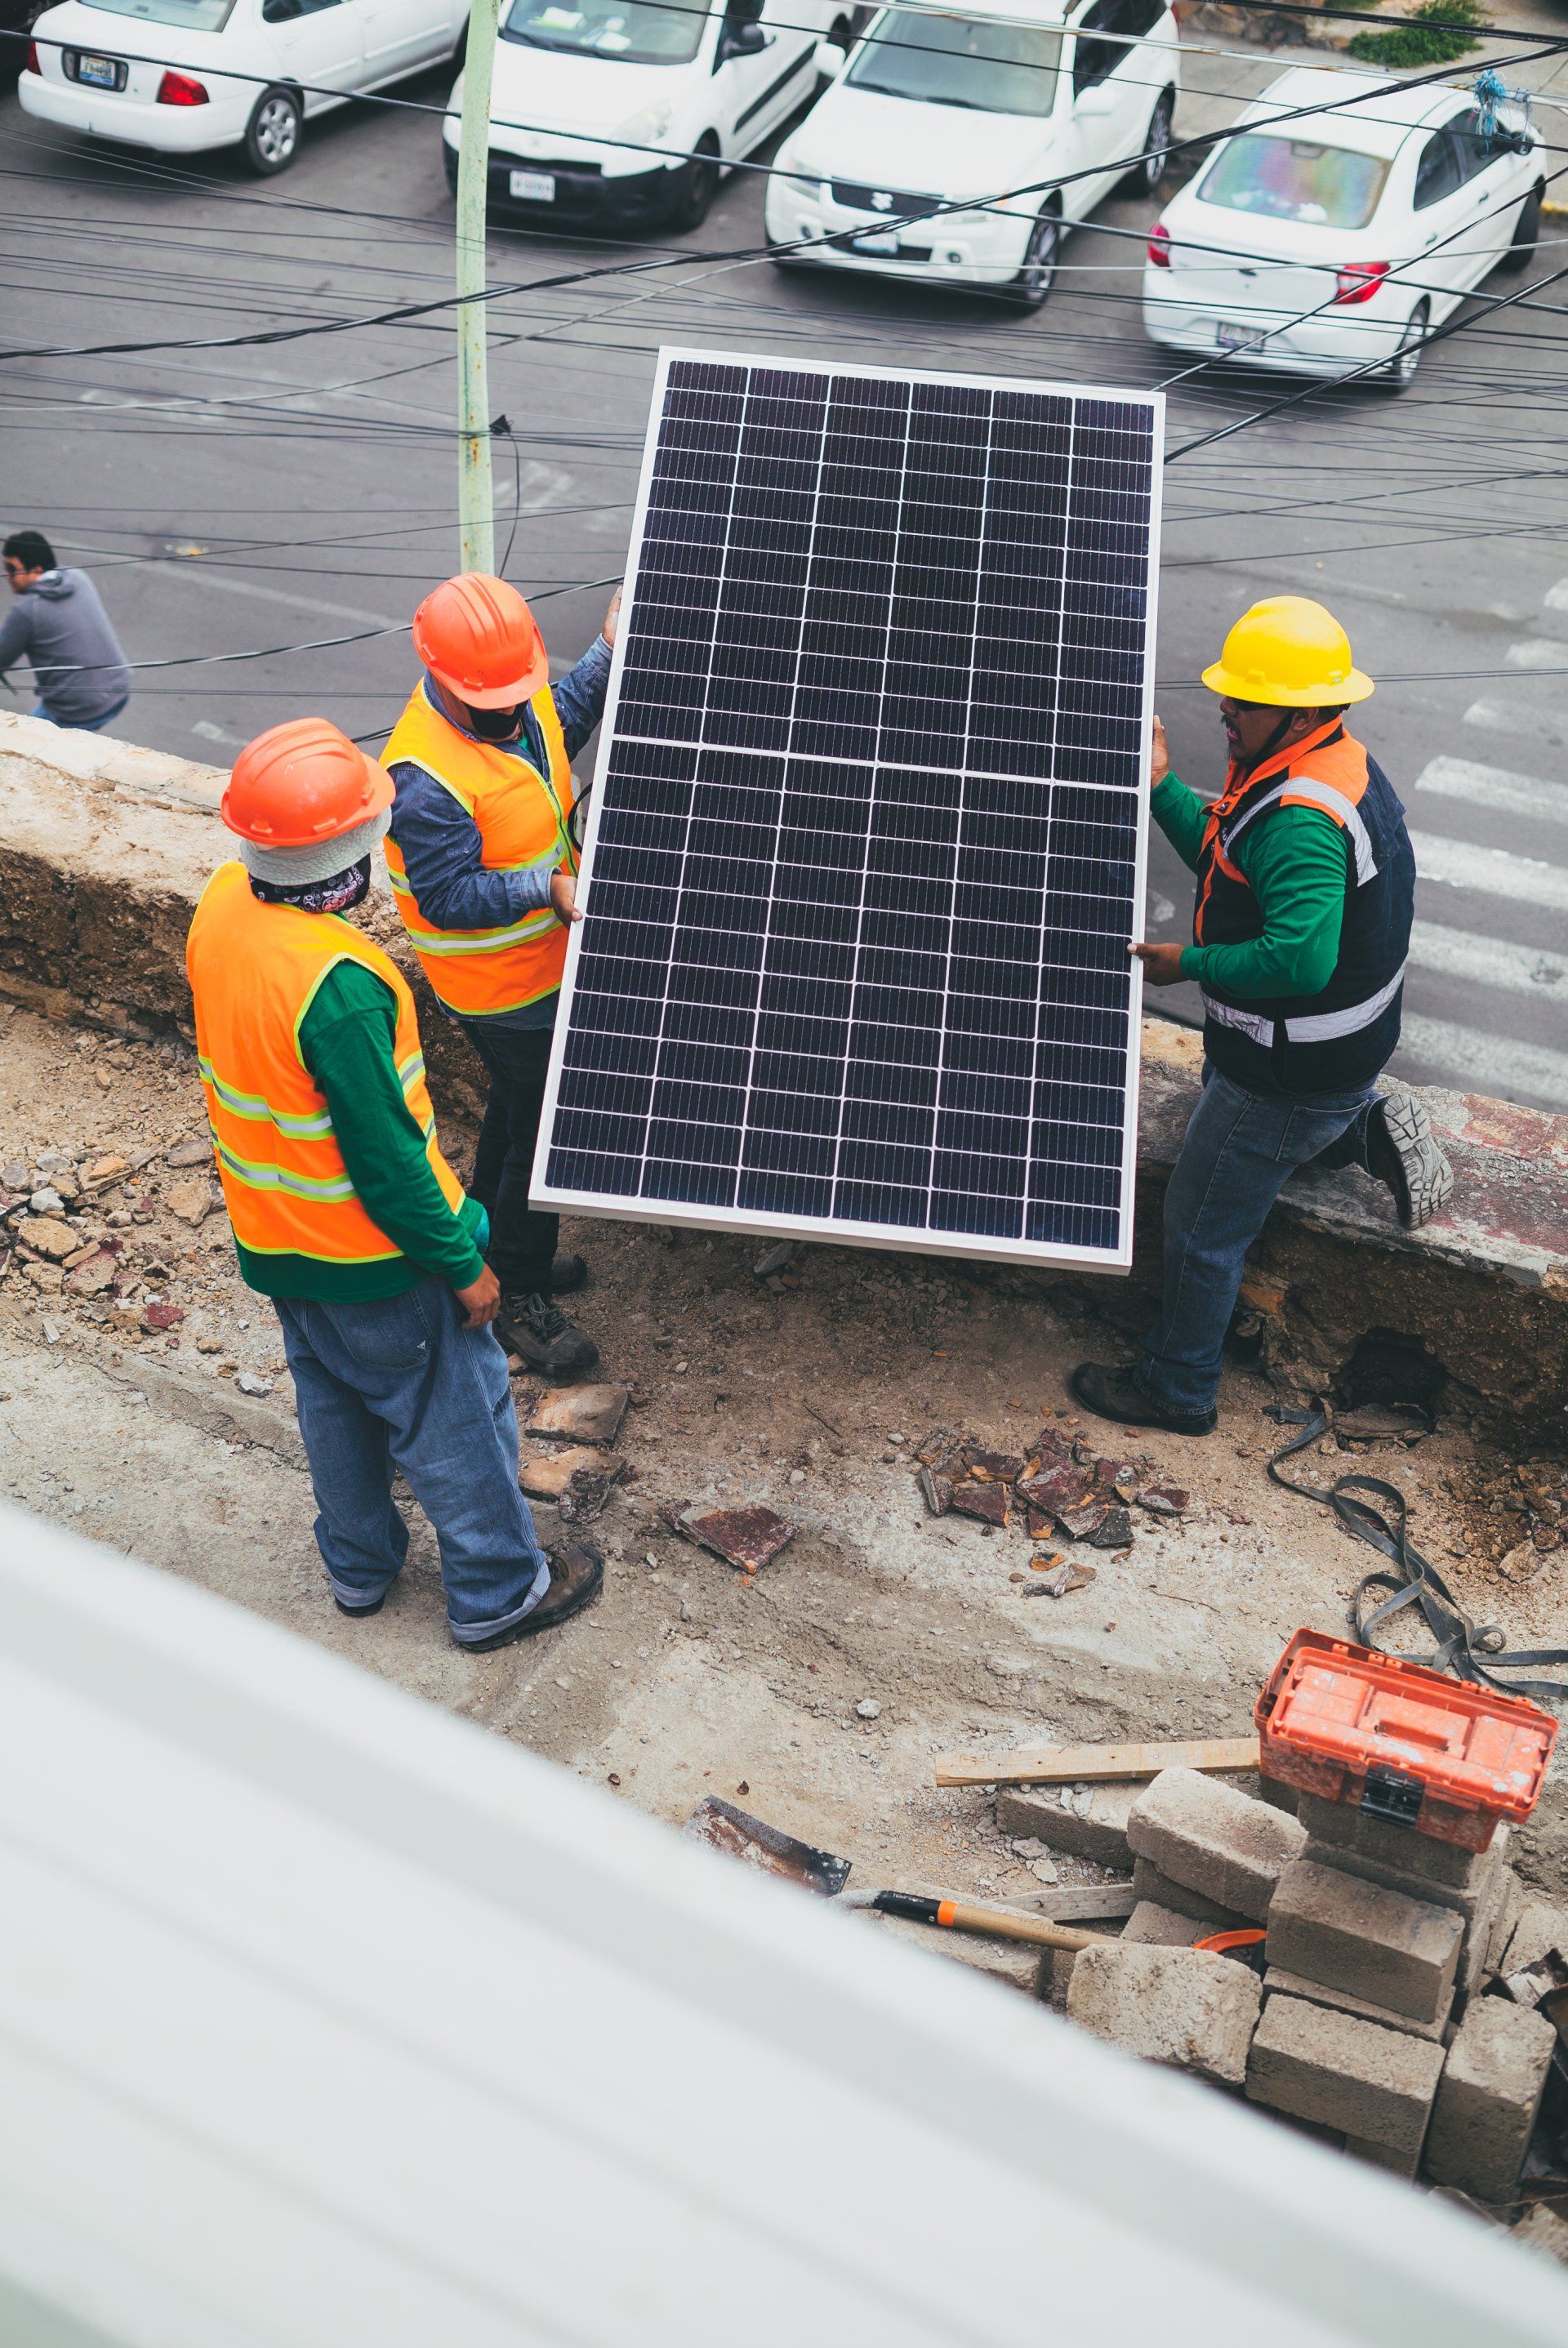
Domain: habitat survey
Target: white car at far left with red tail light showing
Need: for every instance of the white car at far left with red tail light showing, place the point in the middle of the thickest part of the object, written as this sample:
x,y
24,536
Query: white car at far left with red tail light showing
x,y
184,76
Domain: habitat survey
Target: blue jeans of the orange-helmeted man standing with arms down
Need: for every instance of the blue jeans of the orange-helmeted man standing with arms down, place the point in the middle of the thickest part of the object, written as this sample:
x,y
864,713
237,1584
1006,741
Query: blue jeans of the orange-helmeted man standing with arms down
x,y
403,1384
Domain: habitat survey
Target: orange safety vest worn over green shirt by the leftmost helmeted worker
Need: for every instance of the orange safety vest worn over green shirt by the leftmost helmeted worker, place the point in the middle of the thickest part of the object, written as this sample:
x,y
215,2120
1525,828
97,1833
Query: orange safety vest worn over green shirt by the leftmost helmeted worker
x,y
255,973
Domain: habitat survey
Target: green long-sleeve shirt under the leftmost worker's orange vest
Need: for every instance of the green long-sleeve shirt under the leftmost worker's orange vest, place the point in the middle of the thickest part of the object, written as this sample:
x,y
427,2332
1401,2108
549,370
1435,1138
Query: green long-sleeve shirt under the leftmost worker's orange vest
x,y
349,1046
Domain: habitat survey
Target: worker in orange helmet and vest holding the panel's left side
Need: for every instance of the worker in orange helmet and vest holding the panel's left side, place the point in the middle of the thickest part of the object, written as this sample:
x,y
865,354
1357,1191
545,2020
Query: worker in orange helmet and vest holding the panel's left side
x,y
485,870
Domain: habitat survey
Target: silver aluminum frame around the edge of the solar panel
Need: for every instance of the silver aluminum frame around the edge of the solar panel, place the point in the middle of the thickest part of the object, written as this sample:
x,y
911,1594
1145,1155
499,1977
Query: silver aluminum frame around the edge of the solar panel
x,y
834,1229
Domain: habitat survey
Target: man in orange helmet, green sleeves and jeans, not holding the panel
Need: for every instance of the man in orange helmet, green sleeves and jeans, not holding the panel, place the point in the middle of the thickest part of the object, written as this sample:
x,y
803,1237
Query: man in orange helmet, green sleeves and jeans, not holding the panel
x,y
344,1208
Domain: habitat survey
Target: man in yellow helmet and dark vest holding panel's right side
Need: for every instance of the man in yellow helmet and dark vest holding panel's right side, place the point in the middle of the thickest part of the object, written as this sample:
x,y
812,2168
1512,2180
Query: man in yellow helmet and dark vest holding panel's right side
x,y
1306,889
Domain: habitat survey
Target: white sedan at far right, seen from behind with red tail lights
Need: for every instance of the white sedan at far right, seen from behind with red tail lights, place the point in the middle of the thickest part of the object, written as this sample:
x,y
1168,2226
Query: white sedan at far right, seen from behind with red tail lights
x,y
1332,241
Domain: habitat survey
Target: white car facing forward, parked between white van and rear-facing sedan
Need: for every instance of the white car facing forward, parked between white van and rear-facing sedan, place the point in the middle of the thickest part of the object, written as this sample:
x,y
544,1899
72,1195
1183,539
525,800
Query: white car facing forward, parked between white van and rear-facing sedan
x,y
978,112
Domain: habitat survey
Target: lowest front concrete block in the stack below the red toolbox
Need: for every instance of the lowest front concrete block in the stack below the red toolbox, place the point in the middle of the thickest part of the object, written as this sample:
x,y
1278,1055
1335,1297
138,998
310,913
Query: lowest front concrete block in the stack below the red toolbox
x,y
1372,2084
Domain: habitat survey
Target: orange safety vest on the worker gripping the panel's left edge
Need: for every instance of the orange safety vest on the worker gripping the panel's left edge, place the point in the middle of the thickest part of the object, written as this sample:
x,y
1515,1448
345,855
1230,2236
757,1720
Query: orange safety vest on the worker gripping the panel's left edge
x,y
522,821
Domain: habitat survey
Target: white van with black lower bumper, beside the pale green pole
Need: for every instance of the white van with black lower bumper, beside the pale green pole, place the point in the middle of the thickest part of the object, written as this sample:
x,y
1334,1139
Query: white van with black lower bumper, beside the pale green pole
x,y
628,112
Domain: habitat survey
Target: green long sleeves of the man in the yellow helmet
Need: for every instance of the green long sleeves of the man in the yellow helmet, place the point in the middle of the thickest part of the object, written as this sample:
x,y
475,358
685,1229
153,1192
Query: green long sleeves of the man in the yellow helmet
x,y
1297,870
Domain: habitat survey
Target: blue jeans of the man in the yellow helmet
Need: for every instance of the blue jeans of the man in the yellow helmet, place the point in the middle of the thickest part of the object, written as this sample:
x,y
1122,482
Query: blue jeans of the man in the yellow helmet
x,y
1236,1159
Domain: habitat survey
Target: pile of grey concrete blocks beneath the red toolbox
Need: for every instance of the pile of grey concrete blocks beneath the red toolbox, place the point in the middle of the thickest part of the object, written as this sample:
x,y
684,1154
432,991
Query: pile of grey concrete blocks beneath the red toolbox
x,y
1407,1990
